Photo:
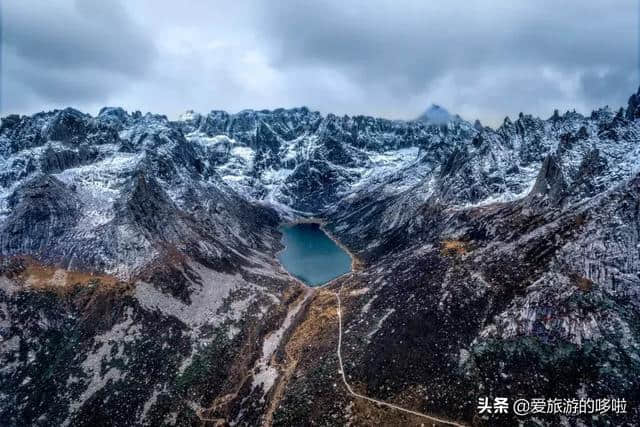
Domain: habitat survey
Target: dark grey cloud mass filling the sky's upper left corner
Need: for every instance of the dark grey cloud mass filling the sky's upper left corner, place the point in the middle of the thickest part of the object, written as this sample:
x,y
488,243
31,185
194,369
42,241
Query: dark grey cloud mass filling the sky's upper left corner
x,y
59,52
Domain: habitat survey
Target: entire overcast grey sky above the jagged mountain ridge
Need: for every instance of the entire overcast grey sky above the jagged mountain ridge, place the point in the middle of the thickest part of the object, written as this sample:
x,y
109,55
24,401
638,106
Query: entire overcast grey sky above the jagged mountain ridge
x,y
481,59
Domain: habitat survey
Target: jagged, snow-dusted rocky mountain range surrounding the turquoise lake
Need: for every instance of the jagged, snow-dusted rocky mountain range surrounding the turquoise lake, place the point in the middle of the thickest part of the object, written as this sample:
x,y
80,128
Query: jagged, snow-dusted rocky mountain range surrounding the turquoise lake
x,y
140,283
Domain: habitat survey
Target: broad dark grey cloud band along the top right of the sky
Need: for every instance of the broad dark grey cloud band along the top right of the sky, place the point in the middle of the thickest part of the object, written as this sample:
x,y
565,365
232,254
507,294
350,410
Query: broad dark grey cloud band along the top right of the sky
x,y
419,38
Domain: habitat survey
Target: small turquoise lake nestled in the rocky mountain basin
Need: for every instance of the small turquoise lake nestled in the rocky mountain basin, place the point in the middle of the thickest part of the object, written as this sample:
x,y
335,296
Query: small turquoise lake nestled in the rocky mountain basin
x,y
311,256
